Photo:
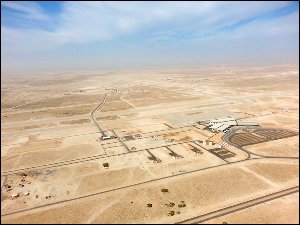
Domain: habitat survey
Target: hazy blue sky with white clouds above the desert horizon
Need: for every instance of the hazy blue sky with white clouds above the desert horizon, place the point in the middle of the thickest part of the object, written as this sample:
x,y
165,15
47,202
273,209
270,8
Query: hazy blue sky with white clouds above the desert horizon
x,y
69,36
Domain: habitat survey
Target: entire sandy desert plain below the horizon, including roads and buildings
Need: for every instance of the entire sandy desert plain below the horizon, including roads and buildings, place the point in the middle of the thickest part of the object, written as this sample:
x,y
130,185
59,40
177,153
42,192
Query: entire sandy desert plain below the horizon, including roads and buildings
x,y
184,145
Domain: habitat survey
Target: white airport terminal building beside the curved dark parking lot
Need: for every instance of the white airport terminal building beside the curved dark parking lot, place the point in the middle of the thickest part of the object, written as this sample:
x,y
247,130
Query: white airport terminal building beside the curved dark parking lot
x,y
222,125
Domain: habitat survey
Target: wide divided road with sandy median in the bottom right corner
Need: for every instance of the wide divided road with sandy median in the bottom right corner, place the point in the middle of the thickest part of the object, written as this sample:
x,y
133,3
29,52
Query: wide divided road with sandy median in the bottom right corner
x,y
244,205
